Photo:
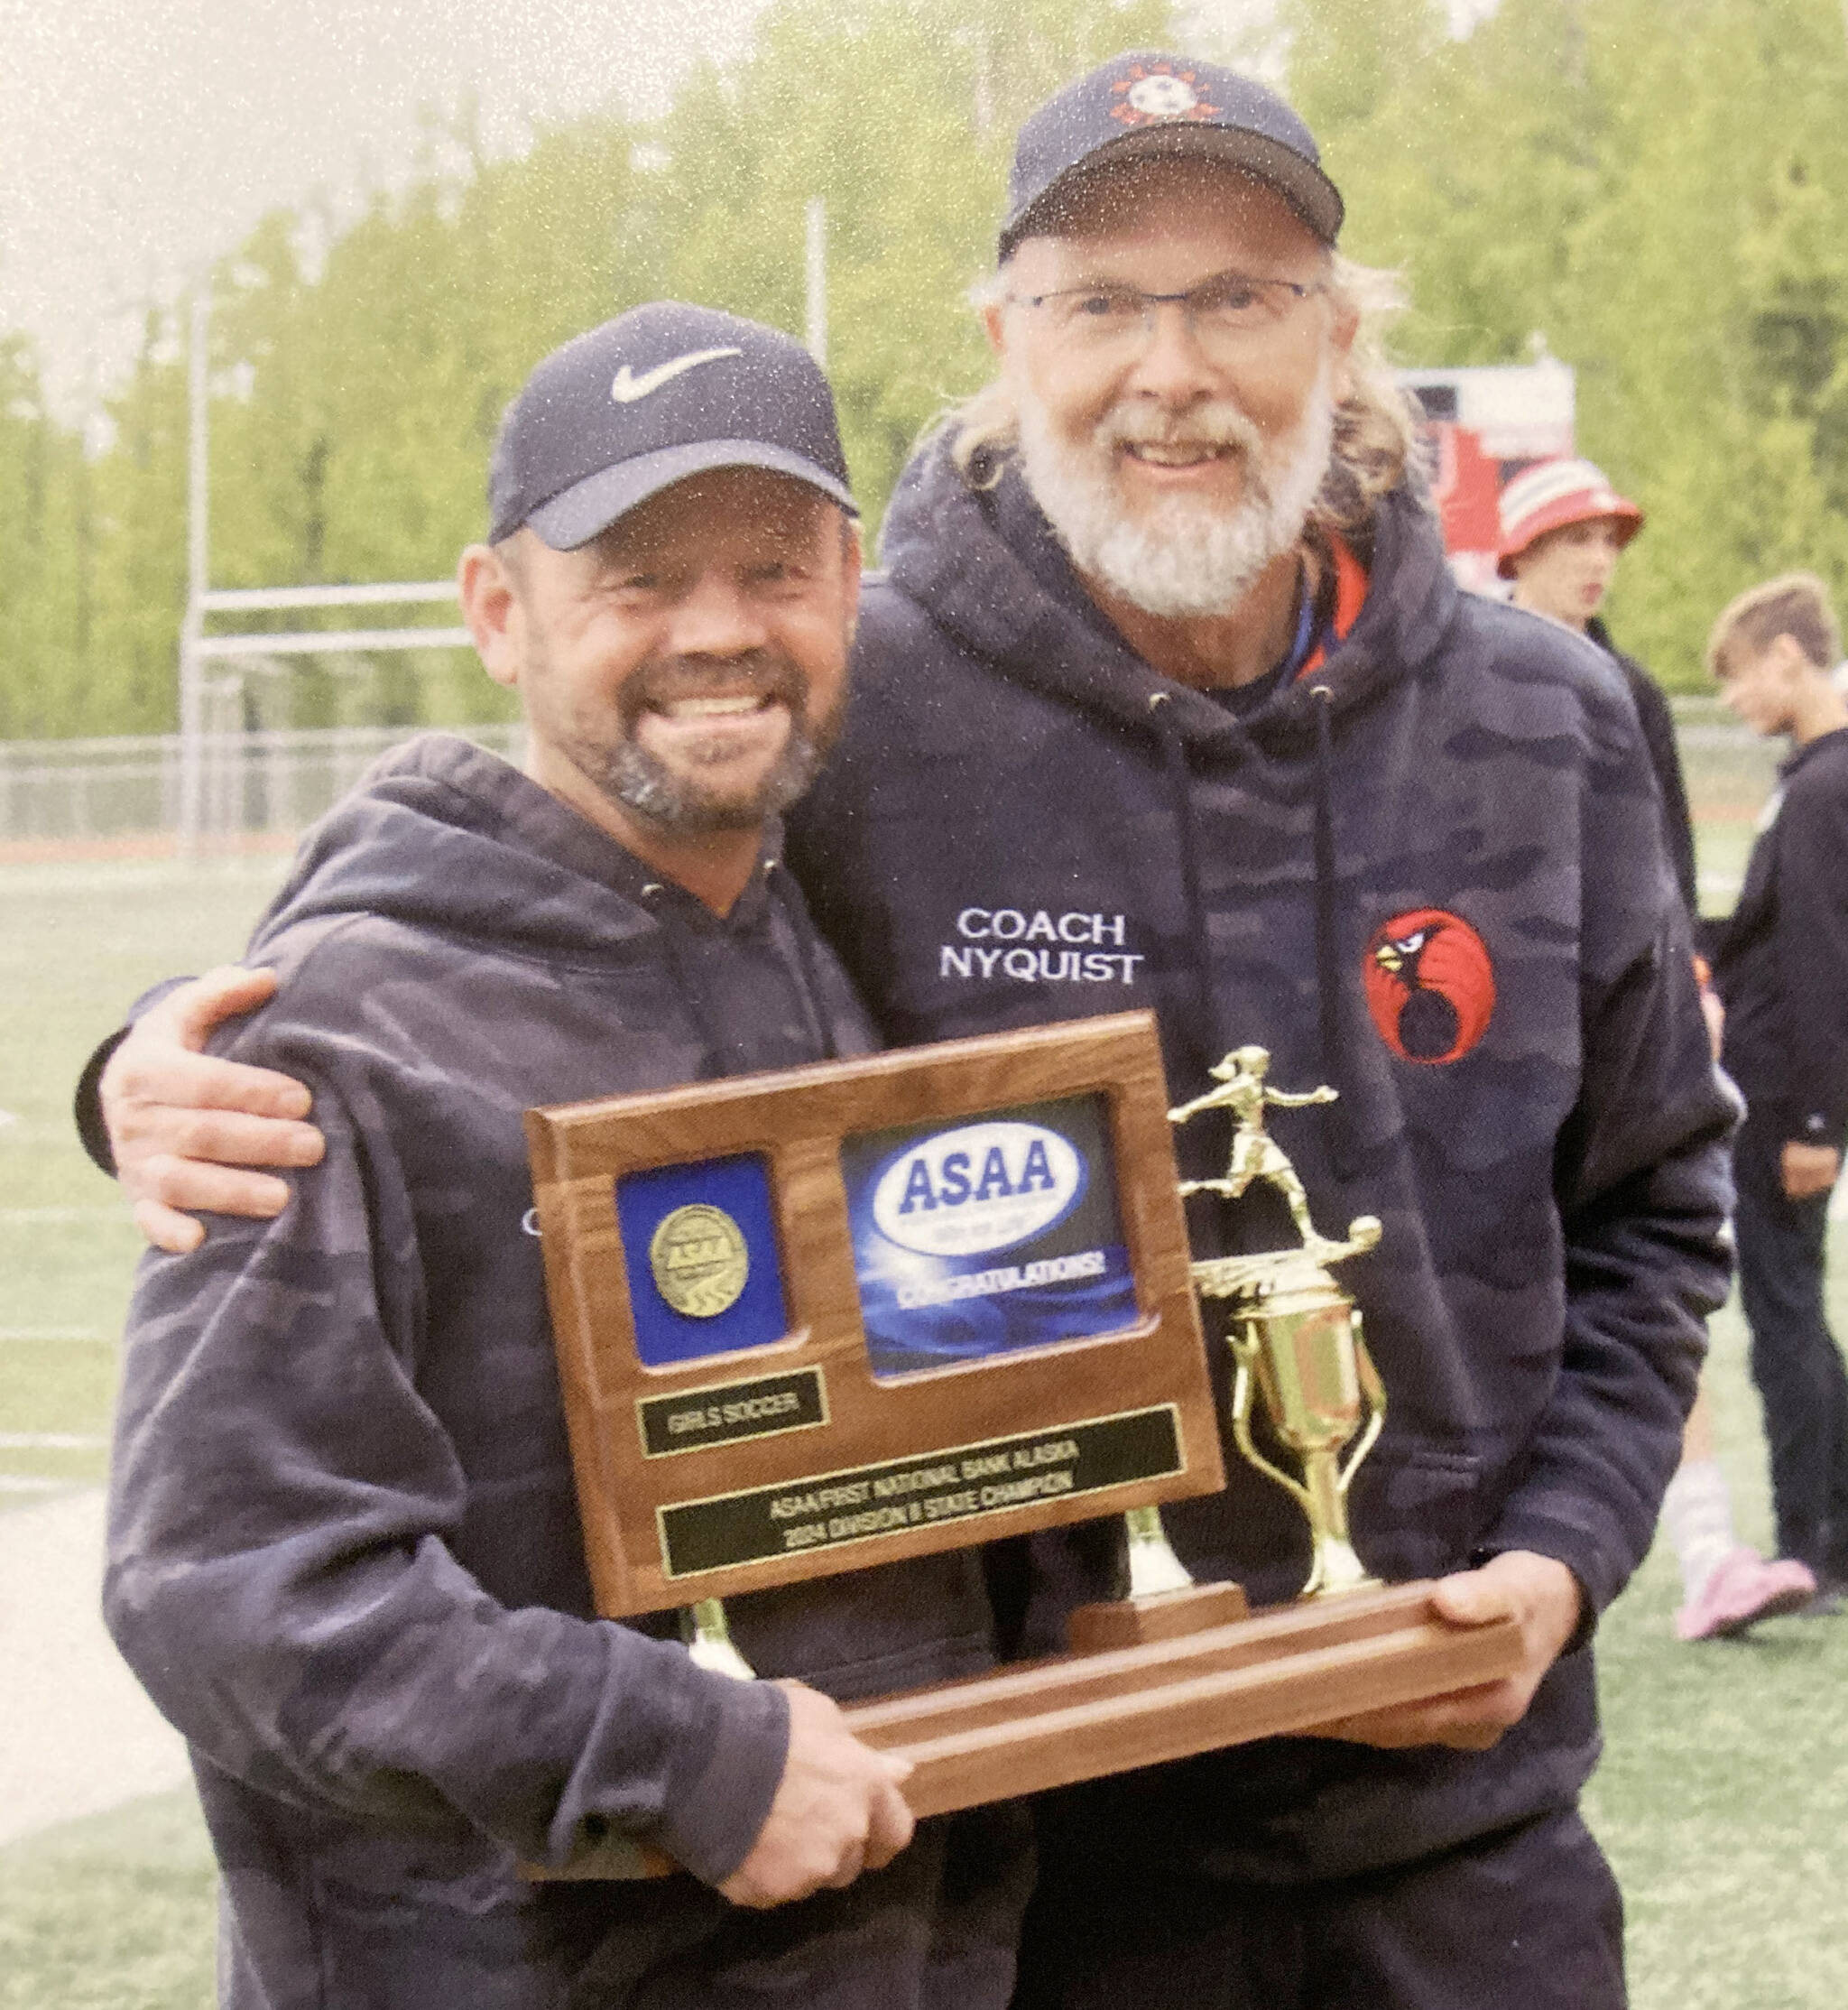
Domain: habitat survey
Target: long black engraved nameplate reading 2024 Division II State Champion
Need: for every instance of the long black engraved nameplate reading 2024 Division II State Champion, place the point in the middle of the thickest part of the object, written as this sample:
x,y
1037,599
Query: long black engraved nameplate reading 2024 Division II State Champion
x,y
957,1484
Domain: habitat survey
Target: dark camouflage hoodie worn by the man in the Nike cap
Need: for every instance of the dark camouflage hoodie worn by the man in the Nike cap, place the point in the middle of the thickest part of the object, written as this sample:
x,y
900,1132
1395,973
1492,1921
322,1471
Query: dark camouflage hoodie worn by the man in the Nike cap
x,y
344,1551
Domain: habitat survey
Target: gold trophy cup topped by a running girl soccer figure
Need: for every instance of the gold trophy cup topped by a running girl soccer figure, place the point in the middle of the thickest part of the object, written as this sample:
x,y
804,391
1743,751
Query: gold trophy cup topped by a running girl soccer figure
x,y
1295,1334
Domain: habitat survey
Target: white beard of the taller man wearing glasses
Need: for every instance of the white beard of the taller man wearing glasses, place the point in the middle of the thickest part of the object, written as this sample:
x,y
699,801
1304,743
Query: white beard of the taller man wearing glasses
x,y
1182,556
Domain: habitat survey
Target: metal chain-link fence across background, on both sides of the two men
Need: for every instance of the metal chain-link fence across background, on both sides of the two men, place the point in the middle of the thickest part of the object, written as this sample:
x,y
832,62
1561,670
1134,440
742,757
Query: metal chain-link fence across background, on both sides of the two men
x,y
270,785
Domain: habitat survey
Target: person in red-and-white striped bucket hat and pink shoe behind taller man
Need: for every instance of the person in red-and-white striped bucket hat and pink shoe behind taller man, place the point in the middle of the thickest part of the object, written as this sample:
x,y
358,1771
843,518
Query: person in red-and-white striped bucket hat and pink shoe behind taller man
x,y
1562,534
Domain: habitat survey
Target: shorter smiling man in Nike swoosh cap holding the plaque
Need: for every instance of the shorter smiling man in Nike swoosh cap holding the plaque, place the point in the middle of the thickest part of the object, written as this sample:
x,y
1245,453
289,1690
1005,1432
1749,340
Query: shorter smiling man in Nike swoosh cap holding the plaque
x,y
344,1551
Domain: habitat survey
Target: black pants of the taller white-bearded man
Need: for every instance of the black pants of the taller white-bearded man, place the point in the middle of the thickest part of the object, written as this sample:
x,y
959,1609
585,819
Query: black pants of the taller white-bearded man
x,y
1524,1921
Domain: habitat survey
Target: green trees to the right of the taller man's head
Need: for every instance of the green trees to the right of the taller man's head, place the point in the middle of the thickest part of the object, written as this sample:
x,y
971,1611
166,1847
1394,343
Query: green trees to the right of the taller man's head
x,y
1660,192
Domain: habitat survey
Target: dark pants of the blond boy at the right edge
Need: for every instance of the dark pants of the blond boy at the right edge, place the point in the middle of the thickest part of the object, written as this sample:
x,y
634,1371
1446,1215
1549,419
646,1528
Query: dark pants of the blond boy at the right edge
x,y
1795,1358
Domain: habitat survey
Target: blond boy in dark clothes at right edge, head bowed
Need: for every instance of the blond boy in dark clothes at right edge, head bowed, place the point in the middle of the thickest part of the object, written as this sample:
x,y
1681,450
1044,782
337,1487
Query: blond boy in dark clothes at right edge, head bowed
x,y
1781,966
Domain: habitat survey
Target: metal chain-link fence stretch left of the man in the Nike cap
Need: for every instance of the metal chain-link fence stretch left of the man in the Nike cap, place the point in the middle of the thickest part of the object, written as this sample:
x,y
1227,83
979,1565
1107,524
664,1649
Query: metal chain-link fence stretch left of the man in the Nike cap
x,y
254,785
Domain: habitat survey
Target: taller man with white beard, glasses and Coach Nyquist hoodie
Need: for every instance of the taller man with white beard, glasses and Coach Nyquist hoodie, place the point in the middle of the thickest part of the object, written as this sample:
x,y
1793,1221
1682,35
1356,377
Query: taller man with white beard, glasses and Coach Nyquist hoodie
x,y
1170,700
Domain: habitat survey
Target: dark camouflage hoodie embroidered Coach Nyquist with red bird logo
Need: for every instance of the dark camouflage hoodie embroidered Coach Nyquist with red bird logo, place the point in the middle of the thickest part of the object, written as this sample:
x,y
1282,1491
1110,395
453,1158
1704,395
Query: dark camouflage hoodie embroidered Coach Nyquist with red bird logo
x,y
1427,873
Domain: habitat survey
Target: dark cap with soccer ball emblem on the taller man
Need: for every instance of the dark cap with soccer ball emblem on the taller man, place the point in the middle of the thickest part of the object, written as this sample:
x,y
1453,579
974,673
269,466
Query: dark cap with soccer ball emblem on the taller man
x,y
1152,106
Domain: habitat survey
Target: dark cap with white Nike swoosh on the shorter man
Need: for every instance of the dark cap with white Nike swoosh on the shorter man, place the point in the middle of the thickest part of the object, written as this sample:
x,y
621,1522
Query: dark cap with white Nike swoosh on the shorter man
x,y
646,401
